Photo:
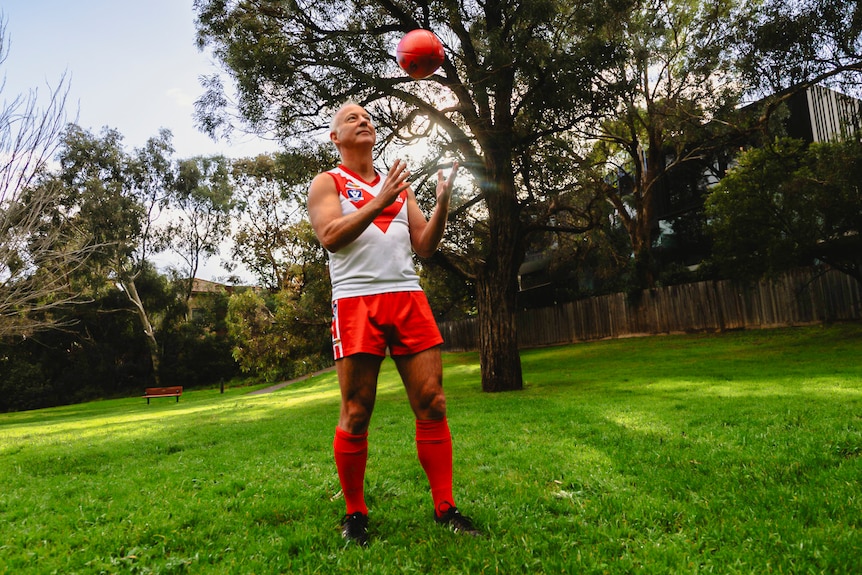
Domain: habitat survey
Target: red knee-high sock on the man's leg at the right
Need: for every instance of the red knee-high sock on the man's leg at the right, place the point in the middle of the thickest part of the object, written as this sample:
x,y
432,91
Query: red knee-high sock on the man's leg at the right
x,y
434,446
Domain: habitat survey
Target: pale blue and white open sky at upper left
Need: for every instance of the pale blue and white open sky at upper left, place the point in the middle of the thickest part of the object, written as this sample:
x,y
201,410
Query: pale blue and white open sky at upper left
x,y
132,65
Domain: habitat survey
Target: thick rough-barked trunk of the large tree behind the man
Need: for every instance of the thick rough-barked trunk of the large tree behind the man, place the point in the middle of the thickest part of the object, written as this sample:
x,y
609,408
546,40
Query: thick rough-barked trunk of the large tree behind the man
x,y
497,293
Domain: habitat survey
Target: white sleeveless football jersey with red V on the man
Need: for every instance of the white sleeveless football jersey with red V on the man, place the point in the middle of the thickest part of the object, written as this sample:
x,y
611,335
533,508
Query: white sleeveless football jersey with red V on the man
x,y
380,260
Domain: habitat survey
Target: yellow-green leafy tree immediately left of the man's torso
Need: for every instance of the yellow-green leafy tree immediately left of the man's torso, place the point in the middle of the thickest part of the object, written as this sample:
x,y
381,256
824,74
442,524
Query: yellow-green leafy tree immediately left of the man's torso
x,y
274,240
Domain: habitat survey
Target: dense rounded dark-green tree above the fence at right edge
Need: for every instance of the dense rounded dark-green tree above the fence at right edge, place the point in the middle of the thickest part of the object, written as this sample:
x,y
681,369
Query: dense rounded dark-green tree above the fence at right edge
x,y
789,204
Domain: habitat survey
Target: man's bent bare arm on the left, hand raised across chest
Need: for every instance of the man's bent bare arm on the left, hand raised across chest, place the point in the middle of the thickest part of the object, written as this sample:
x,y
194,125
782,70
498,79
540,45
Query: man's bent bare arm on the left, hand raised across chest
x,y
336,230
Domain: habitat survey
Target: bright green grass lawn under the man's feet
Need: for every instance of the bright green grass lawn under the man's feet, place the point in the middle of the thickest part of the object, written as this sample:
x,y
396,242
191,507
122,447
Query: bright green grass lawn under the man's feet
x,y
732,453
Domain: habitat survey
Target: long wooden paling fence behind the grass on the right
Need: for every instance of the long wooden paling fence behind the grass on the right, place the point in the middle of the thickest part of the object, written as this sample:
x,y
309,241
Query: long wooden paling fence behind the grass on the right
x,y
800,297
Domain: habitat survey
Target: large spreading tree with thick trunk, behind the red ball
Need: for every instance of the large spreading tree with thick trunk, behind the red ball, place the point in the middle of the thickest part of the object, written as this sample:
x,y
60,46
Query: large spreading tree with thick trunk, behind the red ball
x,y
518,77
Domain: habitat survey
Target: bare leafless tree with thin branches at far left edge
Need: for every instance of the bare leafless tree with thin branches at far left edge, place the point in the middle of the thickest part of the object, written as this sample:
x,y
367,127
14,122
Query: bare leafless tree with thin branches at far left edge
x,y
37,252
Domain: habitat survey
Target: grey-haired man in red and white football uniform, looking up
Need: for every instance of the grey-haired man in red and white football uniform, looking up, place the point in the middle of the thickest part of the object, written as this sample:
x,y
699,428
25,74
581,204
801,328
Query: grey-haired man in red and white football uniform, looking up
x,y
369,223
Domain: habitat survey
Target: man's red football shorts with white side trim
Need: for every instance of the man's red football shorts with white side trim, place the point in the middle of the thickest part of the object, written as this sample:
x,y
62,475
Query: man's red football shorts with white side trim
x,y
401,321
